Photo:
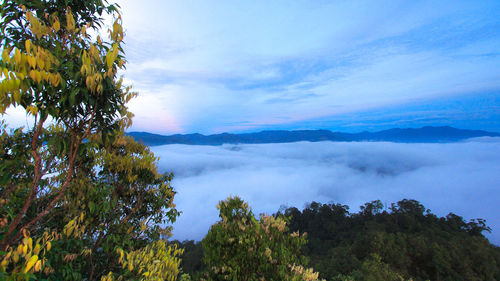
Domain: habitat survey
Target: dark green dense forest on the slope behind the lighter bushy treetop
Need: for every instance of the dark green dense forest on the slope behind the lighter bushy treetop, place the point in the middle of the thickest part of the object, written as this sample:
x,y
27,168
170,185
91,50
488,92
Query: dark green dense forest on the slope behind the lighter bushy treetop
x,y
403,242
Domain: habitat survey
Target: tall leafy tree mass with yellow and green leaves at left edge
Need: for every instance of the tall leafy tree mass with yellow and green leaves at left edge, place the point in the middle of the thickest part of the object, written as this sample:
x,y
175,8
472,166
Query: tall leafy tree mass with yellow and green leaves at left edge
x,y
75,192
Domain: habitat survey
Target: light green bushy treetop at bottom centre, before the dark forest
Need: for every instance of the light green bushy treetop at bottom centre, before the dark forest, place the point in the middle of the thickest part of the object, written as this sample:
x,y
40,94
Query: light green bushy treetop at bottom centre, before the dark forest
x,y
240,247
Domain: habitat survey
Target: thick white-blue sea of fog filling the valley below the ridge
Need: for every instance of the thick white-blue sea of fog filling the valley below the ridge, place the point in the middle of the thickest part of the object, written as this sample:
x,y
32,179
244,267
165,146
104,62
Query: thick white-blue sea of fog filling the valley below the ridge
x,y
463,178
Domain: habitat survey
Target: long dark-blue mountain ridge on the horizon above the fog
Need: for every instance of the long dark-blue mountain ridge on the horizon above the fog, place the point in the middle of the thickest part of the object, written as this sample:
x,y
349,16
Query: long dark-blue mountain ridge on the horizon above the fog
x,y
424,134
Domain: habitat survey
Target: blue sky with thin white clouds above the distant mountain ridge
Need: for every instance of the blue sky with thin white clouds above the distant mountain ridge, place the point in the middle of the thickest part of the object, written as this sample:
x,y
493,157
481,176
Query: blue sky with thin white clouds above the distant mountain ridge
x,y
238,66
